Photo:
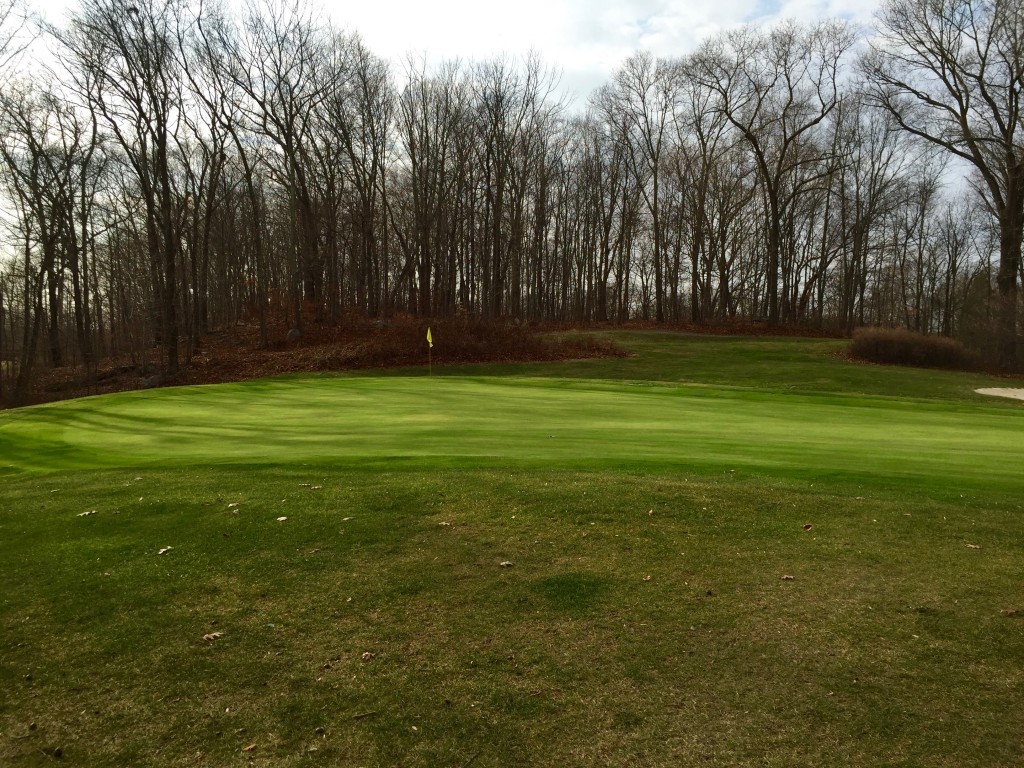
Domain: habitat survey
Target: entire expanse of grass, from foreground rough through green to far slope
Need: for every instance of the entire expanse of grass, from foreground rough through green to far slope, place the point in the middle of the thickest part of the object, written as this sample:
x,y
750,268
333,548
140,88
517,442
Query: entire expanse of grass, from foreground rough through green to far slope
x,y
646,620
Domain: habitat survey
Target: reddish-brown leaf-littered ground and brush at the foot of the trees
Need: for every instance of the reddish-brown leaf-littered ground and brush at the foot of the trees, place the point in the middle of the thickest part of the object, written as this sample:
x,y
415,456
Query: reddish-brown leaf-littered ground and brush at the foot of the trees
x,y
357,345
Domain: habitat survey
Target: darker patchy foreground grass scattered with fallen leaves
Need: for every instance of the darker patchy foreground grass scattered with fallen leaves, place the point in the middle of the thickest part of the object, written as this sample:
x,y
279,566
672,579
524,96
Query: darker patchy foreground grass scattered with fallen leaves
x,y
646,621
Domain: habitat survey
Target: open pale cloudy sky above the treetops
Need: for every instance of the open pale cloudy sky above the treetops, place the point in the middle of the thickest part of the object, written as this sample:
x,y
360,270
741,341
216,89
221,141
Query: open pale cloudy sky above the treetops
x,y
586,39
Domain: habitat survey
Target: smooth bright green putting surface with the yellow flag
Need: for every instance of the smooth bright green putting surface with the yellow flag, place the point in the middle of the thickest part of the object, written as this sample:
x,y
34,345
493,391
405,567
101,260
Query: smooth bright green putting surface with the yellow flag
x,y
460,421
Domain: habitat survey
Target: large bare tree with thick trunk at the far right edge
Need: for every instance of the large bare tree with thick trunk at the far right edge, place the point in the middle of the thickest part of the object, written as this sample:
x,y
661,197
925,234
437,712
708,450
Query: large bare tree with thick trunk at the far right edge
x,y
950,71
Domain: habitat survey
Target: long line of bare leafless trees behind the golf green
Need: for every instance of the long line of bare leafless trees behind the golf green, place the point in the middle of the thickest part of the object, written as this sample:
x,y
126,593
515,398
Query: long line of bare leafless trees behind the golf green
x,y
172,168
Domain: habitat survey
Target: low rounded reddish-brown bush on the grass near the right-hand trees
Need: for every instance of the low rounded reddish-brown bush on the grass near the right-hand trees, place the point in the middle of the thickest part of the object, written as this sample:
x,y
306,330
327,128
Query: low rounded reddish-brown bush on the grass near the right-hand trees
x,y
898,347
